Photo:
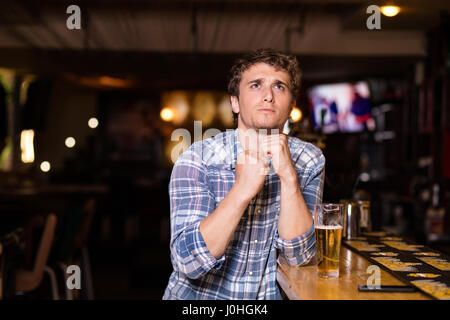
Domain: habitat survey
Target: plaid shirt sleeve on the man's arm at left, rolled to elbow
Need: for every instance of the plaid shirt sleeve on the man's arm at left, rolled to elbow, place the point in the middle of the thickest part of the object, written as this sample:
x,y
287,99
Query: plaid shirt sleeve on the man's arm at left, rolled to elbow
x,y
190,202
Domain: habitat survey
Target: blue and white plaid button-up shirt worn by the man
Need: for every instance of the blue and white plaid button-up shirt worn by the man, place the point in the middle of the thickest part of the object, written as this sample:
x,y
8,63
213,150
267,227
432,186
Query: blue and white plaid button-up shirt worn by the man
x,y
201,177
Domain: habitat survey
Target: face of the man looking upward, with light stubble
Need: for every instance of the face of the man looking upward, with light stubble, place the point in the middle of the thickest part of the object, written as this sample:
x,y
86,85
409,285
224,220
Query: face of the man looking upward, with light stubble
x,y
265,99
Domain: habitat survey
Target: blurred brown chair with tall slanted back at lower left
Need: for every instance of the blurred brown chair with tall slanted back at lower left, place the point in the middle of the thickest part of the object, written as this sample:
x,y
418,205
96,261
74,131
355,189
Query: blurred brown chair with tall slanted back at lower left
x,y
25,280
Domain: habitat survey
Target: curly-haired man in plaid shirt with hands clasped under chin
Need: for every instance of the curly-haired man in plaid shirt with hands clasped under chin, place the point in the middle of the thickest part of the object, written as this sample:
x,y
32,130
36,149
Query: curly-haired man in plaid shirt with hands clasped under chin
x,y
245,196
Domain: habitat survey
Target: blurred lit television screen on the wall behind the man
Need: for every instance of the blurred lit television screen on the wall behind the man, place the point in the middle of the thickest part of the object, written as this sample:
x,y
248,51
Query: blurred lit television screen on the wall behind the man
x,y
340,107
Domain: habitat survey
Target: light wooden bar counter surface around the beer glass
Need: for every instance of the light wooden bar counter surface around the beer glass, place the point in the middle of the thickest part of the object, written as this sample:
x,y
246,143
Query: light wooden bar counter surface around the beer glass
x,y
303,283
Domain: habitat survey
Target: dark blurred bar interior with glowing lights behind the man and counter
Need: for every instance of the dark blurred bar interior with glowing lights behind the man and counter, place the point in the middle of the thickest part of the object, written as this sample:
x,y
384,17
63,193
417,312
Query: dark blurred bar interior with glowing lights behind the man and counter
x,y
88,115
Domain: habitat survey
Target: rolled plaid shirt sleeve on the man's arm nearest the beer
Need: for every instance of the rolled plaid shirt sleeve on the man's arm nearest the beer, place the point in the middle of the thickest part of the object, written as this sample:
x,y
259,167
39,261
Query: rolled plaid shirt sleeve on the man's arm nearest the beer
x,y
300,250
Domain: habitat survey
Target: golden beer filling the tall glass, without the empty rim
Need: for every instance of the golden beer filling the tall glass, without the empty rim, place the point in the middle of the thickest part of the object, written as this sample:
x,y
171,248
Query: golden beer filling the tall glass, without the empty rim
x,y
328,242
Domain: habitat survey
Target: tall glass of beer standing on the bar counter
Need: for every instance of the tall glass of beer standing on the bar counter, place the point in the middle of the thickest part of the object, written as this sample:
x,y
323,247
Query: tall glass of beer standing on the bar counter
x,y
328,223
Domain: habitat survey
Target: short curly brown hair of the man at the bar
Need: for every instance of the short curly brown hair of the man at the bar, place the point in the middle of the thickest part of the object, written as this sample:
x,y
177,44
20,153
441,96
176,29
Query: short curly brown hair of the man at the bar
x,y
276,59
